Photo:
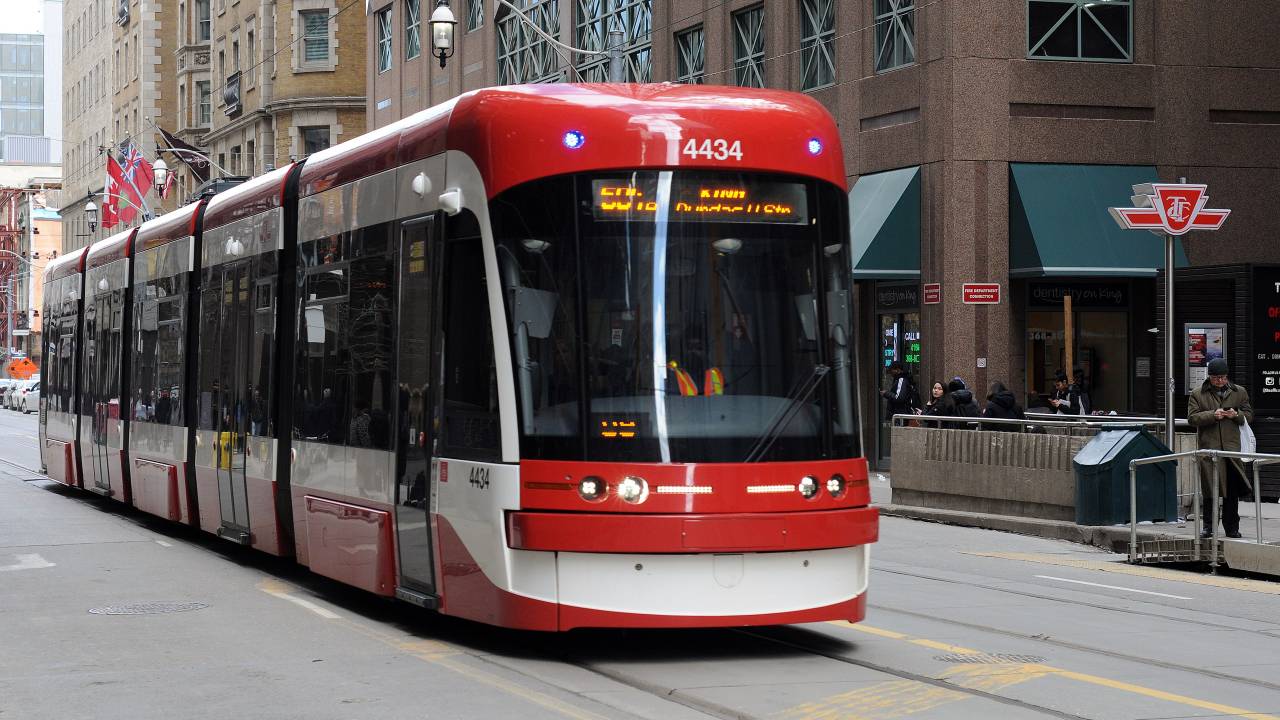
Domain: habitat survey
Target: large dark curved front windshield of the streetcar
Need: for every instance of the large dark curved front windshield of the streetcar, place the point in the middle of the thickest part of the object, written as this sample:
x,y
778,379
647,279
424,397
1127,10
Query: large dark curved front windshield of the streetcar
x,y
679,317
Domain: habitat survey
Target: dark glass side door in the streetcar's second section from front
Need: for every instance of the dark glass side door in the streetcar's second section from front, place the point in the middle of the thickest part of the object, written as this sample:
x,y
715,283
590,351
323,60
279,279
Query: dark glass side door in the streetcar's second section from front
x,y
234,412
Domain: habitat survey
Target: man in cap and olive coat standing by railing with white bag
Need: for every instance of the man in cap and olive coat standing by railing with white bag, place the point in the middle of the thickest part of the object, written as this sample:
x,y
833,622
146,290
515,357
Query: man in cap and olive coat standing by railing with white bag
x,y
1217,411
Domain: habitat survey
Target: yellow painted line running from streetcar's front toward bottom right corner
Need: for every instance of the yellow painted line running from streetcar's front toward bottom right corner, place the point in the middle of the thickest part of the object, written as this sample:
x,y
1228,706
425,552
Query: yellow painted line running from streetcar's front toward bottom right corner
x,y
993,678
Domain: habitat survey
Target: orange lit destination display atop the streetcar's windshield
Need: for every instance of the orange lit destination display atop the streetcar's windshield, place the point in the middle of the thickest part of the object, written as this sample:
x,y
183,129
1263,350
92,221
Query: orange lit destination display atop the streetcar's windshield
x,y
697,202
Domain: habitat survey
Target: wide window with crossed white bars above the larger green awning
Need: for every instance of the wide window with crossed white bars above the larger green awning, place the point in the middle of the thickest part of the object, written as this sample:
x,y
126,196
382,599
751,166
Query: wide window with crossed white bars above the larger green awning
x,y
1080,30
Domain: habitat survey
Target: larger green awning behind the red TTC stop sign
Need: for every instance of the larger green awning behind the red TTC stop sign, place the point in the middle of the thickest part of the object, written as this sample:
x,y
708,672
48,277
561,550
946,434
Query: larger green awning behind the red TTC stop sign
x,y
1059,224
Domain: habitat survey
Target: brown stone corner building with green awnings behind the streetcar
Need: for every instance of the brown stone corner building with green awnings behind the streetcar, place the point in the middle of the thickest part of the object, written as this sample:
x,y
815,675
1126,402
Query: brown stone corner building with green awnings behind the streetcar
x,y
984,144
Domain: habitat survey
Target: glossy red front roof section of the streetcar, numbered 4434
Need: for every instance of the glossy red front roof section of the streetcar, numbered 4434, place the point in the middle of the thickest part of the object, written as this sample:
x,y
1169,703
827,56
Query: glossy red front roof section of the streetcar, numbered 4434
x,y
515,134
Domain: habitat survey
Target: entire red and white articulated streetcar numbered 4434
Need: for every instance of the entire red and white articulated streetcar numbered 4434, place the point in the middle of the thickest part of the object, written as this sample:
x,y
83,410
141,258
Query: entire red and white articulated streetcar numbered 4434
x,y
543,357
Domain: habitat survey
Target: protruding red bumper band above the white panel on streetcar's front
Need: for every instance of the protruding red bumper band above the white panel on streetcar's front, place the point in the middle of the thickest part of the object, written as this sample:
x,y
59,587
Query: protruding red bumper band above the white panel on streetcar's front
x,y
598,532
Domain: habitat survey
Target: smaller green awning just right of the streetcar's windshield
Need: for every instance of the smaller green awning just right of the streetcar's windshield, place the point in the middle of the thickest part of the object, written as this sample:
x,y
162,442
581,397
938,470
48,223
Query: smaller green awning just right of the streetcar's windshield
x,y
885,225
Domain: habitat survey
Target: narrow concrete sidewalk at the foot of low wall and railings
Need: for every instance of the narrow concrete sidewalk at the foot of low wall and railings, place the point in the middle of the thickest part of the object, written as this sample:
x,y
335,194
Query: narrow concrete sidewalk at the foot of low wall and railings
x,y
1246,552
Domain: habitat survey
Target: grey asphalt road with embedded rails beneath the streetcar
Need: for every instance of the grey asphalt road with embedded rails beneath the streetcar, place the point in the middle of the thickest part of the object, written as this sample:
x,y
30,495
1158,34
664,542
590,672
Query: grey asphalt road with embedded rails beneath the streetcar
x,y
962,625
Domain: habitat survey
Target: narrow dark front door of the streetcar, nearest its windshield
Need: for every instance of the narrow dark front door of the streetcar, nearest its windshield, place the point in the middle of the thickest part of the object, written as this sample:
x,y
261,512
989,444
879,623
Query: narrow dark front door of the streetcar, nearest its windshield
x,y
414,409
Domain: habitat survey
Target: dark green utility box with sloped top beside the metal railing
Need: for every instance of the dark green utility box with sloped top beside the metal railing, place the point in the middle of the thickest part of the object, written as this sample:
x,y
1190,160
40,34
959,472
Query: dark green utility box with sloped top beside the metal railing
x,y
1103,479
